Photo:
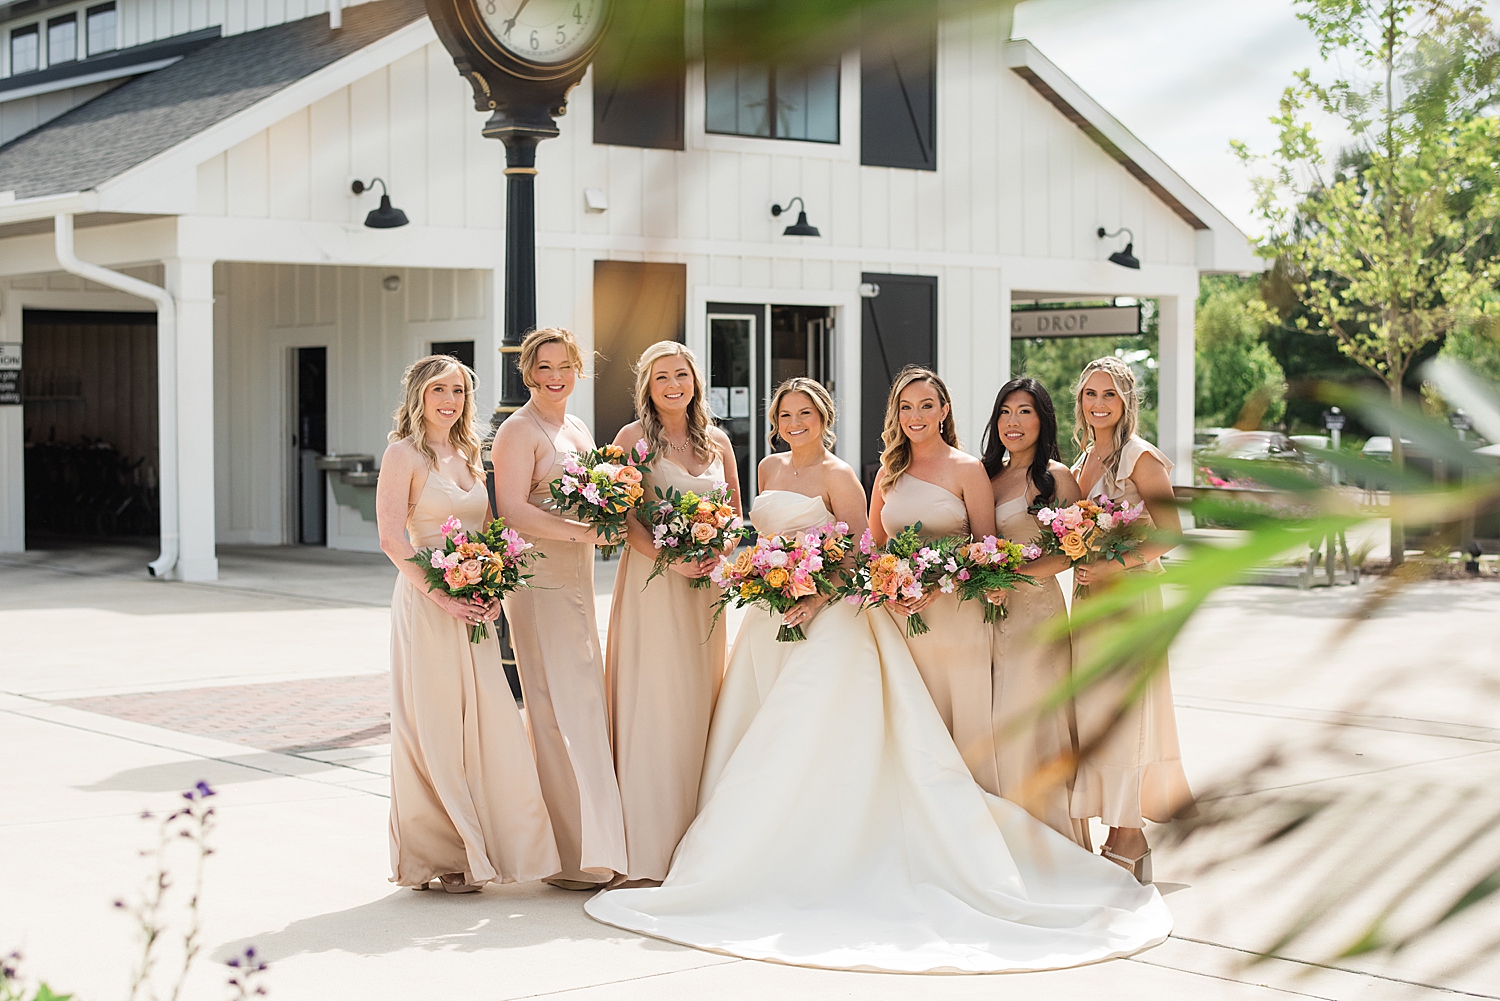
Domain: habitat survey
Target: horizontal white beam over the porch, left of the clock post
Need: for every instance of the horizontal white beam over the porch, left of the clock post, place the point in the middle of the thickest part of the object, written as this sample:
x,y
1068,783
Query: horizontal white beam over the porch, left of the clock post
x,y
337,244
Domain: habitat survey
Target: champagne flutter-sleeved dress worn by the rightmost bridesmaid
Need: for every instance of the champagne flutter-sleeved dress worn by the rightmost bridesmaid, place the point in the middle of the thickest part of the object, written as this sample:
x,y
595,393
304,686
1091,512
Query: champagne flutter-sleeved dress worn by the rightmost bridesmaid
x,y
1136,774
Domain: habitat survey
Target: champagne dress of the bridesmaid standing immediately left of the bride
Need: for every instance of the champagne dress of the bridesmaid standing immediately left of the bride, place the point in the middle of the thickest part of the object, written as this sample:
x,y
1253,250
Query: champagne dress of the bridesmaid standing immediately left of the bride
x,y
665,660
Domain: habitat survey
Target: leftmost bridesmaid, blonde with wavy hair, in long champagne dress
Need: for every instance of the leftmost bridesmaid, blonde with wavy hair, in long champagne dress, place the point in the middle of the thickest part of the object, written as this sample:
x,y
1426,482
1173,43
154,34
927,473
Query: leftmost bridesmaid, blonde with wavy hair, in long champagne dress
x,y
466,805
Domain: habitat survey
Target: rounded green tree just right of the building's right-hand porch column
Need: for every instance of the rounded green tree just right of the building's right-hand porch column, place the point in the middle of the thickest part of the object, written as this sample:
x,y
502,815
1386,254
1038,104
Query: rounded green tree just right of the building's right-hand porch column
x,y
1238,380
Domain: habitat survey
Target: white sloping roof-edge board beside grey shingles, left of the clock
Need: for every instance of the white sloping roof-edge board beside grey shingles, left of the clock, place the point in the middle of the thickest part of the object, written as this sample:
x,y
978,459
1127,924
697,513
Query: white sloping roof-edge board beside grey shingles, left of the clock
x,y
160,179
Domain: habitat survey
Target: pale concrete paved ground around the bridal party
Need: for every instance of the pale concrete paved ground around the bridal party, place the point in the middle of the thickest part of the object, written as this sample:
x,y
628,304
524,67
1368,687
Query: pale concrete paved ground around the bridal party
x,y
1346,778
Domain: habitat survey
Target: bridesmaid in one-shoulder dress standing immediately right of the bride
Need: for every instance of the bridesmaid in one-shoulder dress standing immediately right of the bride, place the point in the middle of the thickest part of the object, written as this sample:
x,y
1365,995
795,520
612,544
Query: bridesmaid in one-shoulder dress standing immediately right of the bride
x,y
926,478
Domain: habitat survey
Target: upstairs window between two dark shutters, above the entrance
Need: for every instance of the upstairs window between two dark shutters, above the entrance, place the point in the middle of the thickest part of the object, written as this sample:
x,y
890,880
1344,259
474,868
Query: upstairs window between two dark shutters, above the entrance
x,y
775,101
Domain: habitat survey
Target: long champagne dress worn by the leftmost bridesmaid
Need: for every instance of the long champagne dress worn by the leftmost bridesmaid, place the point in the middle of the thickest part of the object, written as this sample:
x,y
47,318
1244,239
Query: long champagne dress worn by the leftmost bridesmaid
x,y
464,793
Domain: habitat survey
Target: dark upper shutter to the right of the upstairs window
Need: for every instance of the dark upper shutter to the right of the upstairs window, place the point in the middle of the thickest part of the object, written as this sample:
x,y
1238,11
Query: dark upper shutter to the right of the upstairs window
x,y
899,100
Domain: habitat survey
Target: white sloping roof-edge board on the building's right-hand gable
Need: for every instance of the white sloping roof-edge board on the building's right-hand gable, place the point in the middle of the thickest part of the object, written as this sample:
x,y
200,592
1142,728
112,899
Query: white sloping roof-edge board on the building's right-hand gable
x,y
1220,244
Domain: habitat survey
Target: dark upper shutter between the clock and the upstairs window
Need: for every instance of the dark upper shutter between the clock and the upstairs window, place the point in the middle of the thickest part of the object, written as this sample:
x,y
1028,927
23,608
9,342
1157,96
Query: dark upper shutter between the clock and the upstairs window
x,y
640,79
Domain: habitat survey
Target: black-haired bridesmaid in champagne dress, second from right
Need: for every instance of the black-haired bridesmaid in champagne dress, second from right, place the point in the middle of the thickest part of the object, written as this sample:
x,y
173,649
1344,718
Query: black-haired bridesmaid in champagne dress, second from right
x,y
1021,455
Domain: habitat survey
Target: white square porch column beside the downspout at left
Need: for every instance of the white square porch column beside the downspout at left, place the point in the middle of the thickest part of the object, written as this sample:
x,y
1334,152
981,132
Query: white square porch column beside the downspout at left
x,y
191,284
